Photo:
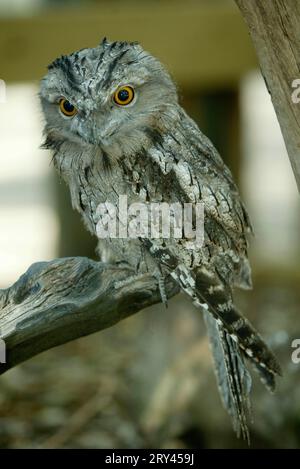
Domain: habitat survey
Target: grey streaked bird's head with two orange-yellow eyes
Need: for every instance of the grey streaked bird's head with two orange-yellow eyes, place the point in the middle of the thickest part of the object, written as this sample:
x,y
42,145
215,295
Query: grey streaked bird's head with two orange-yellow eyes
x,y
115,95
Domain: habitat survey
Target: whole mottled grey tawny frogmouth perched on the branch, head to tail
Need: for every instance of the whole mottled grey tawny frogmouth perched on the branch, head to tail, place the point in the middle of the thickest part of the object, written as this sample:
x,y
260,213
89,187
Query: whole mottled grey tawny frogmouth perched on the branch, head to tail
x,y
114,123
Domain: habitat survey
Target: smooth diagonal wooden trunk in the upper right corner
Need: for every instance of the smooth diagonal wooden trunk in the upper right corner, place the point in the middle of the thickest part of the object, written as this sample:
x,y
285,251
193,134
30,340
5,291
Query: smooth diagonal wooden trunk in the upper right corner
x,y
274,26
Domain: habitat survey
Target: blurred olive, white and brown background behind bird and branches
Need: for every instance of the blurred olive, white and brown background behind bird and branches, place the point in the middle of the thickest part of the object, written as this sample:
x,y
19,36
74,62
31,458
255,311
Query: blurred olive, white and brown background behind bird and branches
x,y
147,382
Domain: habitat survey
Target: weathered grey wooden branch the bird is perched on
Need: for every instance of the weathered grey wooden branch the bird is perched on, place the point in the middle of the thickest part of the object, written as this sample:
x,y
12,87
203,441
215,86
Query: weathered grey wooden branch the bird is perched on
x,y
55,302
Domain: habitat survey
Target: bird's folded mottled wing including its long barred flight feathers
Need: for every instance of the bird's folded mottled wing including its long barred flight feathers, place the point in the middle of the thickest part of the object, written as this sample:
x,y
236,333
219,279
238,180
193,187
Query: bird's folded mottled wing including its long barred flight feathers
x,y
198,174
